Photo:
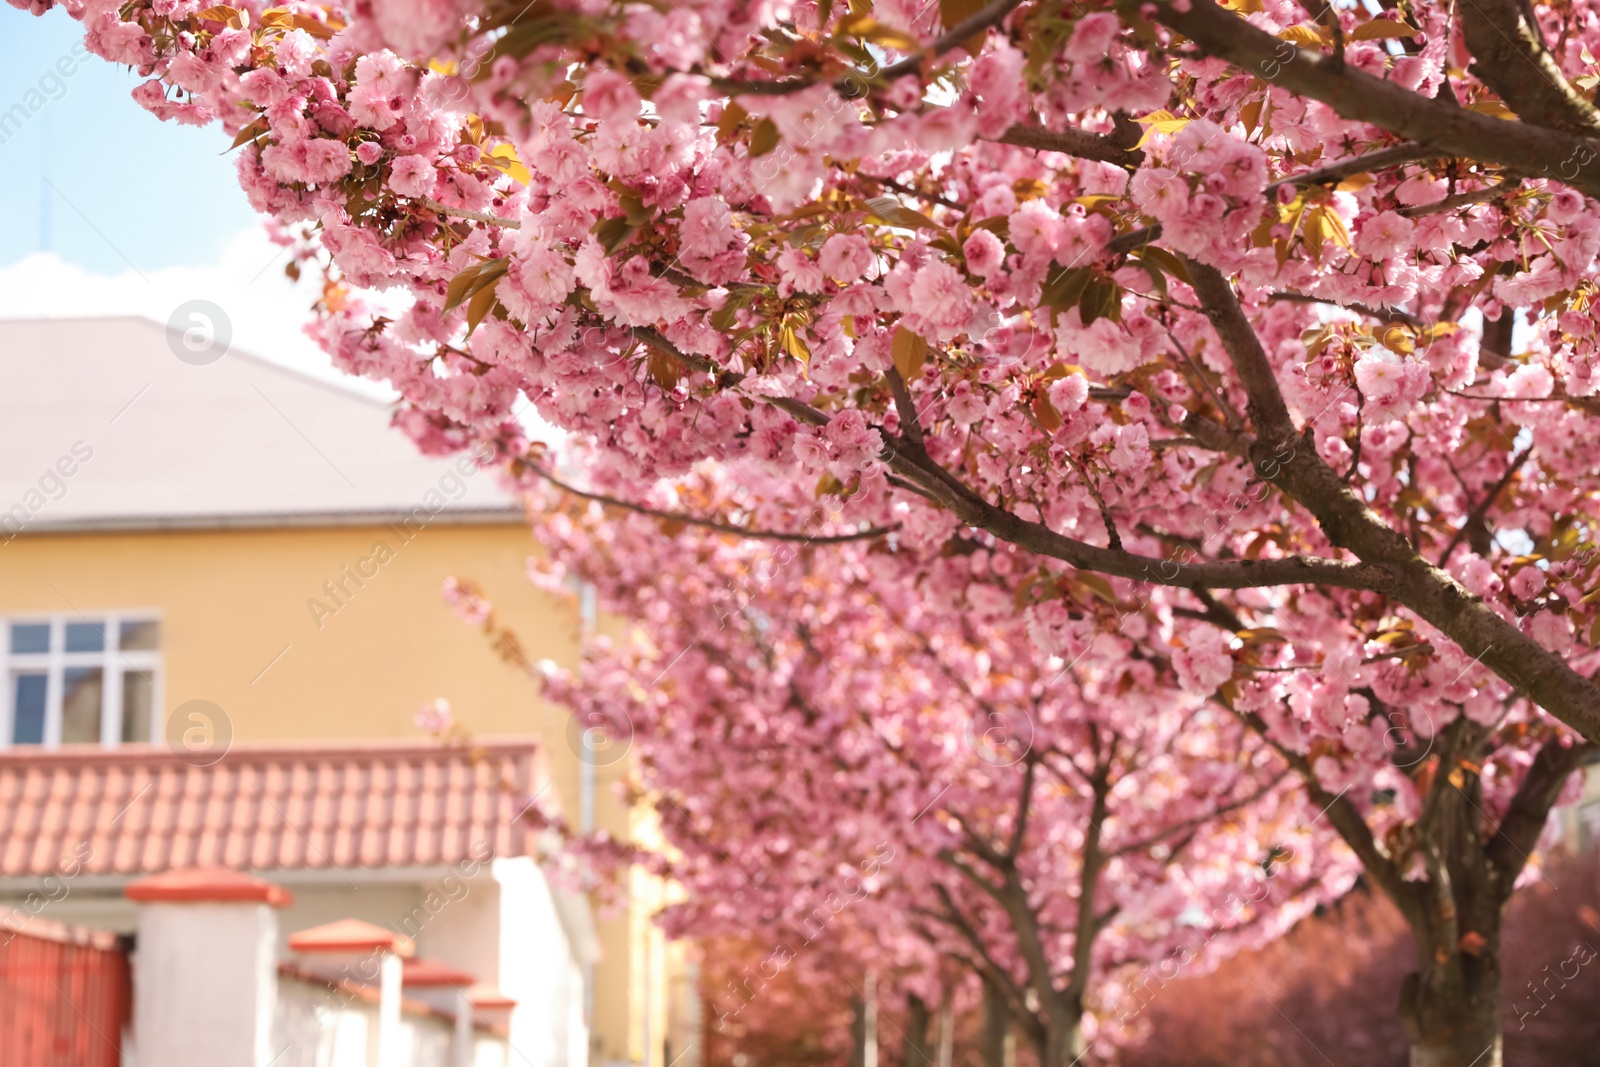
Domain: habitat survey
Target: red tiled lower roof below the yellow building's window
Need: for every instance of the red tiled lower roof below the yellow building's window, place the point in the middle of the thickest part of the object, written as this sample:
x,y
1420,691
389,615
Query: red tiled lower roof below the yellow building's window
x,y
140,810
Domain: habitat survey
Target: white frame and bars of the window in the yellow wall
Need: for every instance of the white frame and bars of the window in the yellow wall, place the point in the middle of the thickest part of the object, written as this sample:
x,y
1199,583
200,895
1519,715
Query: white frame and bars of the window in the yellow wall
x,y
55,663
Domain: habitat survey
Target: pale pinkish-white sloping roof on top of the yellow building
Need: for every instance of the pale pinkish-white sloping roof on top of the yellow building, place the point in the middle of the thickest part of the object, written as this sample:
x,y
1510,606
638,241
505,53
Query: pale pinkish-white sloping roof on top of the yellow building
x,y
238,442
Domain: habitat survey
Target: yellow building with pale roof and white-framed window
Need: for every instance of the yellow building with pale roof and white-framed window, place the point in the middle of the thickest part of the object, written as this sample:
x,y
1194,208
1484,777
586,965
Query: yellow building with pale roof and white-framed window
x,y
228,553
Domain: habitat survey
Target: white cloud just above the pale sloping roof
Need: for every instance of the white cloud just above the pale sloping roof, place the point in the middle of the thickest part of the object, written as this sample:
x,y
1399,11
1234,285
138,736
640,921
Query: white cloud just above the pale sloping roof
x,y
266,311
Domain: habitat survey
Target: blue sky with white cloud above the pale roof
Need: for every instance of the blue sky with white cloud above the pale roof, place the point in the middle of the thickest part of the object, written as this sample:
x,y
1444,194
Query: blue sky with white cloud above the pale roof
x,y
106,210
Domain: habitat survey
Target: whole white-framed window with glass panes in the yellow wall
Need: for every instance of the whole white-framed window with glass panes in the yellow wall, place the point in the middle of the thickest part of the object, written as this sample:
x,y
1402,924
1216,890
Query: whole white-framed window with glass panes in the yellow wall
x,y
74,681
